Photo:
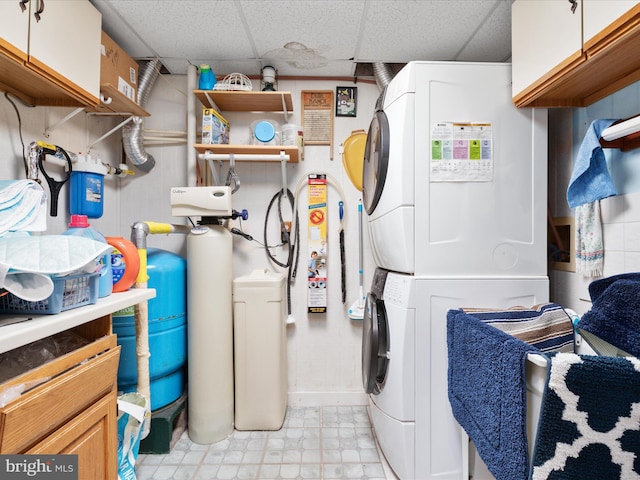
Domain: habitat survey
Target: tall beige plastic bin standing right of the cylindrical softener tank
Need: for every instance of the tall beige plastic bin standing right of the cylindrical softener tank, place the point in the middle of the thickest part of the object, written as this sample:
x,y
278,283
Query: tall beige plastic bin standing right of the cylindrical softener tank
x,y
260,350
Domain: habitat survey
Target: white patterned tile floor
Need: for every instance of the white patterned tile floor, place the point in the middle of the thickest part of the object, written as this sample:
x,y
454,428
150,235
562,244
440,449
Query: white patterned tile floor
x,y
314,443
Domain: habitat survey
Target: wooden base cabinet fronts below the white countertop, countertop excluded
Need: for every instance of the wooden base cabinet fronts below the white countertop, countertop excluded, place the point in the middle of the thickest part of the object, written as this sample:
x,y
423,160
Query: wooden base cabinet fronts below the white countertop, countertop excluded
x,y
74,411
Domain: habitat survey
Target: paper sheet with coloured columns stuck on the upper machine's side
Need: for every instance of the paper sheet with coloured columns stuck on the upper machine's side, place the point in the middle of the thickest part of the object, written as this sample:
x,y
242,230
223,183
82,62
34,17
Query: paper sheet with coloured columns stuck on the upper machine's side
x,y
461,152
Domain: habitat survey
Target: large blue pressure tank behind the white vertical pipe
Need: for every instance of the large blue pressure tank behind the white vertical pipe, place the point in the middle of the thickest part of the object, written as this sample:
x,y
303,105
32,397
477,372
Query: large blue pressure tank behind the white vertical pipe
x,y
167,331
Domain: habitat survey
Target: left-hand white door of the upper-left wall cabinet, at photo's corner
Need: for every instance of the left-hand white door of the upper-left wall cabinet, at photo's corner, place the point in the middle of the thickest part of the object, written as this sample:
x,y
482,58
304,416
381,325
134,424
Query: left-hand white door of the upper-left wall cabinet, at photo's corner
x,y
14,30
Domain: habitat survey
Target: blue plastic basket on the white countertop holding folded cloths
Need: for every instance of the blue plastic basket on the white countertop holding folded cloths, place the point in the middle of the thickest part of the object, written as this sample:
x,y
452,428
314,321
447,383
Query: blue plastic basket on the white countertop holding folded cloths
x,y
68,292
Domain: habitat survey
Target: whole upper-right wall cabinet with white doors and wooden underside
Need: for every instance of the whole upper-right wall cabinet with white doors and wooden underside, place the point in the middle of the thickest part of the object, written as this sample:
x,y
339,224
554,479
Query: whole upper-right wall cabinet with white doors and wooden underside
x,y
565,59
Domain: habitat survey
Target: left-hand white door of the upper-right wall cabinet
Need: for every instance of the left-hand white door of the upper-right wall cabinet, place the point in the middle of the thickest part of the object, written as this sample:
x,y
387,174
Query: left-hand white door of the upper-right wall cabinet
x,y
544,35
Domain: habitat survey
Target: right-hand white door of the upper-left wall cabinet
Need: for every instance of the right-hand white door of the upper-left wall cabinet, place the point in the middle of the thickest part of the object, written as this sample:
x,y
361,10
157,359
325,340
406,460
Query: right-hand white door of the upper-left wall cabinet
x,y
65,44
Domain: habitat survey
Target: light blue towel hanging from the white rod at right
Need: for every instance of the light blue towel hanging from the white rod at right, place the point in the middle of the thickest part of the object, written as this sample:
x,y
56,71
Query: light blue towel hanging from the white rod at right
x,y
590,179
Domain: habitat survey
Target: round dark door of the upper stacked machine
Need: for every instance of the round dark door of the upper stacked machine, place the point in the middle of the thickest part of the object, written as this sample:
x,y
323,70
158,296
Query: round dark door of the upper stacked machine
x,y
376,161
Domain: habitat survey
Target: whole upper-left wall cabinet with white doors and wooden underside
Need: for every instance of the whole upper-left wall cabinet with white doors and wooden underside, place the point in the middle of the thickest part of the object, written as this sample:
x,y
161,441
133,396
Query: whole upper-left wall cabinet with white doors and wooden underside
x,y
54,60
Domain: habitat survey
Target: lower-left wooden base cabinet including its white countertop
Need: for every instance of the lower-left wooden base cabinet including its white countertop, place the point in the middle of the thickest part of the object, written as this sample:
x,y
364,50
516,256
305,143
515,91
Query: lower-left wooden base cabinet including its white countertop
x,y
73,409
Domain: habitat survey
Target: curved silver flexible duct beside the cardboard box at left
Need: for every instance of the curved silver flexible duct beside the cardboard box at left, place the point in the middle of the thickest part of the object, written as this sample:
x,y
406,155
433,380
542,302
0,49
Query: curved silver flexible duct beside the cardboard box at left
x,y
132,132
